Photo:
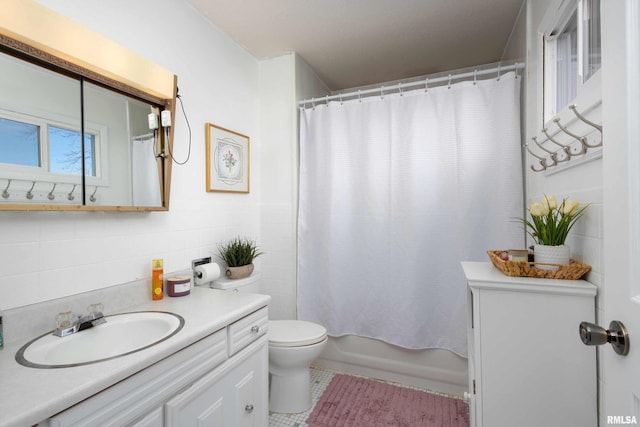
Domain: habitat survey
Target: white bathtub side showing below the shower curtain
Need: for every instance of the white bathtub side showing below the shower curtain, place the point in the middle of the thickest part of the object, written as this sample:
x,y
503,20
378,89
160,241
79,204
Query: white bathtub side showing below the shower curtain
x,y
435,369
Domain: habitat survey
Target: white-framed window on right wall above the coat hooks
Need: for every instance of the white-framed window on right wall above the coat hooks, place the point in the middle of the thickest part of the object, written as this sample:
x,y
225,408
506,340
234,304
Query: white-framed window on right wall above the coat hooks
x,y
572,55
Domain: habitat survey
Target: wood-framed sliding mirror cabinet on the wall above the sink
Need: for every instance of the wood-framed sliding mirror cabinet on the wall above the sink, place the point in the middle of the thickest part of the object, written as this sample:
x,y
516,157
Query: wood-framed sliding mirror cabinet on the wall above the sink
x,y
73,138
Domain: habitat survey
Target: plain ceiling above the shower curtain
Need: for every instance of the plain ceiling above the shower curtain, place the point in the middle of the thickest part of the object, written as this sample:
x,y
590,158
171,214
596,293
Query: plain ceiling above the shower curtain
x,y
351,43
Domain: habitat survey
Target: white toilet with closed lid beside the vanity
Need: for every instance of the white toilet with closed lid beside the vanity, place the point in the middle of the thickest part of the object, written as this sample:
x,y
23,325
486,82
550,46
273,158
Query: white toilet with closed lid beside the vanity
x,y
293,345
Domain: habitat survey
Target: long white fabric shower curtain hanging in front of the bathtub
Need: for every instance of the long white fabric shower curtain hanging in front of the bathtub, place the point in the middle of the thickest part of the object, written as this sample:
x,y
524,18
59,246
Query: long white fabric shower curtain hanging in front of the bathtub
x,y
394,194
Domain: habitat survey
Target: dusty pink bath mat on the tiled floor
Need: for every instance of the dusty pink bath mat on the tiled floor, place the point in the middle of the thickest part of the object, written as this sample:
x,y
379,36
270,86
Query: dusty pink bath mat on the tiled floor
x,y
352,401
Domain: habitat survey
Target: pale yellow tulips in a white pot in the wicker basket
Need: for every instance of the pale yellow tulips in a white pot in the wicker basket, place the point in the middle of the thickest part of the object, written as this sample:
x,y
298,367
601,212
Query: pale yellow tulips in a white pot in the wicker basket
x,y
549,227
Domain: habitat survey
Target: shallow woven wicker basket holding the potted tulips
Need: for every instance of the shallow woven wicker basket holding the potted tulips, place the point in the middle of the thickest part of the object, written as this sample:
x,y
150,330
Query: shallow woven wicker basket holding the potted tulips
x,y
572,271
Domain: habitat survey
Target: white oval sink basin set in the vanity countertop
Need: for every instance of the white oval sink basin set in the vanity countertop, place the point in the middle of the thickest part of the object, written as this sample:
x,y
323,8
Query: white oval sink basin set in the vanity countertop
x,y
121,335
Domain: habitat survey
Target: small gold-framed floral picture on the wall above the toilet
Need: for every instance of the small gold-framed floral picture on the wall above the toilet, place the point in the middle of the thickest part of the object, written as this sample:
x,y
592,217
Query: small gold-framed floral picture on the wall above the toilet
x,y
228,155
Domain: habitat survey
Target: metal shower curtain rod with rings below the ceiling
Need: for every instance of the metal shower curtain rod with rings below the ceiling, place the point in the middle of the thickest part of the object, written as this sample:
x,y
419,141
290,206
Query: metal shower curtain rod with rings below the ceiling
x,y
400,86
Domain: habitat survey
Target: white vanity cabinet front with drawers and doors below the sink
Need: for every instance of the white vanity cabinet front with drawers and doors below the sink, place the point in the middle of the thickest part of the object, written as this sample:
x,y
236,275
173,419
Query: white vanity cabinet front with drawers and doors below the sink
x,y
207,383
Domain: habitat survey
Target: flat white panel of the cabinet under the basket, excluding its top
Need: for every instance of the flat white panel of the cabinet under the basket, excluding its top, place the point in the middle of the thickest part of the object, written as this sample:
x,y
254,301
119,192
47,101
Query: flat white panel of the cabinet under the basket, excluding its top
x,y
533,369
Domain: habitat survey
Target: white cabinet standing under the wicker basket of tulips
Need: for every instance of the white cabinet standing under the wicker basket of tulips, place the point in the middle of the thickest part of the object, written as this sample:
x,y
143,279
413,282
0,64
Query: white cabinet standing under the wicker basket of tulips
x,y
527,364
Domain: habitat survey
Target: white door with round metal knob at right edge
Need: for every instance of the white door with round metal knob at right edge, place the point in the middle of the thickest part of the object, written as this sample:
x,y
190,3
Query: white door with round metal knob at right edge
x,y
620,293
